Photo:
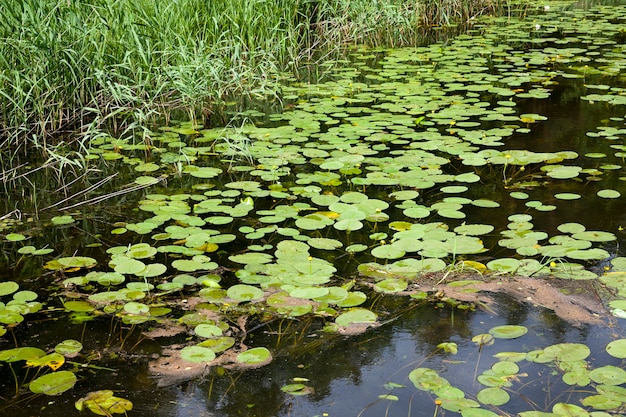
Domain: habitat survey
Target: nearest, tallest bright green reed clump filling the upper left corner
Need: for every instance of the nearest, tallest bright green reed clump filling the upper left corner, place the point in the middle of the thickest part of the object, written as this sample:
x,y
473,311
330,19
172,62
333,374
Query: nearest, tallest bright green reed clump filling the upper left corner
x,y
64,64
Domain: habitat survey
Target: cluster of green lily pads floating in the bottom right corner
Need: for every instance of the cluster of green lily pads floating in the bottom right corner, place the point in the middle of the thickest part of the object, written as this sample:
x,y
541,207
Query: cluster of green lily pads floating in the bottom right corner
x,y
589,387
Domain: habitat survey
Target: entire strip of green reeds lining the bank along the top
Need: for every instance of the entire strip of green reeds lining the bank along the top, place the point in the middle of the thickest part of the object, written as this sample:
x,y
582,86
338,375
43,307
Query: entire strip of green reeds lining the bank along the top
x,y
91,65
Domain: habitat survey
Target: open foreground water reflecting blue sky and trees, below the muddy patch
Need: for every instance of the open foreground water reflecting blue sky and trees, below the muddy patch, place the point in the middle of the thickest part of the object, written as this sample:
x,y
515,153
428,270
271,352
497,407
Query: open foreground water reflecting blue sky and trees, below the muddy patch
x,y
349,374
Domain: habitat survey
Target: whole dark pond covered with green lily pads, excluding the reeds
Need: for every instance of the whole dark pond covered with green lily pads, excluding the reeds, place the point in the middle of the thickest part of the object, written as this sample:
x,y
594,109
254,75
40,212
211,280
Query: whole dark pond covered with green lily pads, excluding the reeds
x,y
434,228
